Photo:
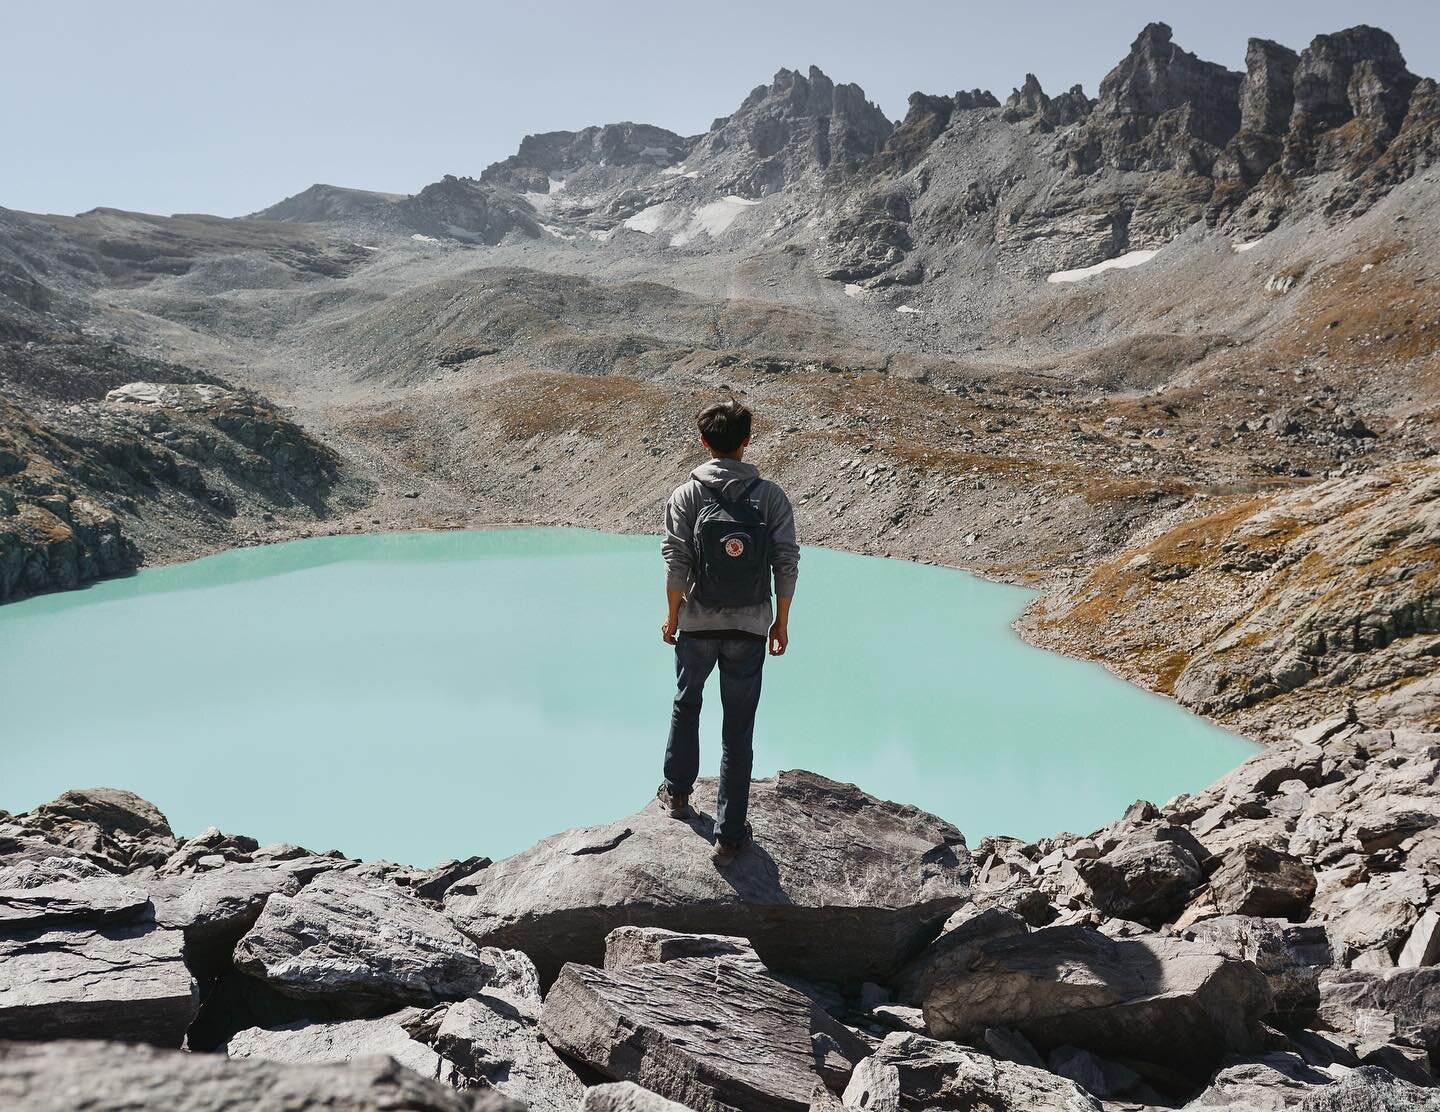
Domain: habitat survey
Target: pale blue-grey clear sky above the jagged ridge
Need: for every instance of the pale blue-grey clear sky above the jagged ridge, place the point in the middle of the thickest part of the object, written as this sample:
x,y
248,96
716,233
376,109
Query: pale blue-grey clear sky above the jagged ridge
x,y
227,107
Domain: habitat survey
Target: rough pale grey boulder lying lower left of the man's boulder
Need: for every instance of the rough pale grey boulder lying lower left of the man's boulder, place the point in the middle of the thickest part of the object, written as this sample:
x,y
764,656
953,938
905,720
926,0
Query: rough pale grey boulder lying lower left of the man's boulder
x,y
369,947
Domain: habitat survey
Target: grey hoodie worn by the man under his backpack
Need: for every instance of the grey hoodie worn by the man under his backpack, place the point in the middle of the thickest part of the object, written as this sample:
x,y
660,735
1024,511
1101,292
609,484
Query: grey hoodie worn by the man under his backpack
x,y
680,554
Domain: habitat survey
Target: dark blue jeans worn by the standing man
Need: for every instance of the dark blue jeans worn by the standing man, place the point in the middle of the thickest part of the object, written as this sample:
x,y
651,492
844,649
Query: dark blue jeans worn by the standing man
x,y
741,665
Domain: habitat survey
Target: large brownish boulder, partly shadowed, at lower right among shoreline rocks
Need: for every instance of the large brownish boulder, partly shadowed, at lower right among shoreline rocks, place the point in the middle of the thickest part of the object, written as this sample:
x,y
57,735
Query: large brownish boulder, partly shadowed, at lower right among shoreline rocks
x,y
1153,997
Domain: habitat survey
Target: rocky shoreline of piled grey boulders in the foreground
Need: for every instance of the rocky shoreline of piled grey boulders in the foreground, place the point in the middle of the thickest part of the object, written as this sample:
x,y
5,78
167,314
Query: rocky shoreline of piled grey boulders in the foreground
x,y
1271,943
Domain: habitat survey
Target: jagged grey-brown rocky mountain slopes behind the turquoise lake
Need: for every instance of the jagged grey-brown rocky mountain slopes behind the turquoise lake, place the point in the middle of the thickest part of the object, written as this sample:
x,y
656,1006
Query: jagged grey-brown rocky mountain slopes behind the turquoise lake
x,y
1036,338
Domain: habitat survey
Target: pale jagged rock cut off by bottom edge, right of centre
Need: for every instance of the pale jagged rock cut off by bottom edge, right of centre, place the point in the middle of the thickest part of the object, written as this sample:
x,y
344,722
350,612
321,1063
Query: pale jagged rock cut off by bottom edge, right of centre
x,y
919,1074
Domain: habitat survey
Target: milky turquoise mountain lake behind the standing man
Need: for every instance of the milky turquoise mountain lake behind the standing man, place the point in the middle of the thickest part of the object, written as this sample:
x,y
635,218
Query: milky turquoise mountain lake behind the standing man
x,y
438,695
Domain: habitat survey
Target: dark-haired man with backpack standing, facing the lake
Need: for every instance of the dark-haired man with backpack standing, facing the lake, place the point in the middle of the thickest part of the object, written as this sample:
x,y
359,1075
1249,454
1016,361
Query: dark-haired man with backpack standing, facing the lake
x,y
728,532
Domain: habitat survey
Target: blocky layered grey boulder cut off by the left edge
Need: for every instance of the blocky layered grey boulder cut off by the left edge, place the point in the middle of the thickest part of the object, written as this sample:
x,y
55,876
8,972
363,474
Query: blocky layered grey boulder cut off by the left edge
x,y
122,982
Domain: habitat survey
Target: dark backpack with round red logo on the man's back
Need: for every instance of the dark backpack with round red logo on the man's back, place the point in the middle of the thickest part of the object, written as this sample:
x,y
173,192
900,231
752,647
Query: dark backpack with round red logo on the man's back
x,y
732,551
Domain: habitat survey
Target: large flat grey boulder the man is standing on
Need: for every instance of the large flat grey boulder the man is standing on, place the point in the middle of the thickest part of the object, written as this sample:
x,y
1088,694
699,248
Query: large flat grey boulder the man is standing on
x,y
875,881
